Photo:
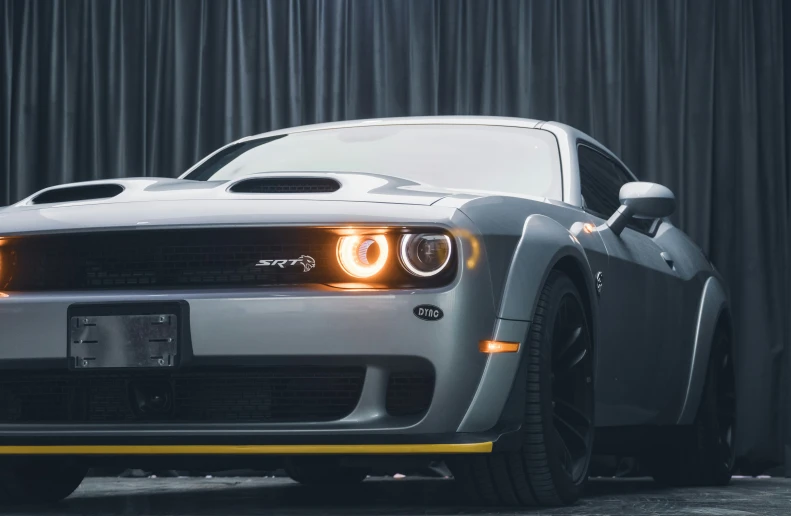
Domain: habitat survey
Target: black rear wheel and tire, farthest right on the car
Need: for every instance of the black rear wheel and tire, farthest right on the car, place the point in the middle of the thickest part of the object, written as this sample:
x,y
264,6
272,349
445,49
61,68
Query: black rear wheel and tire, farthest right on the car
x,y
705,455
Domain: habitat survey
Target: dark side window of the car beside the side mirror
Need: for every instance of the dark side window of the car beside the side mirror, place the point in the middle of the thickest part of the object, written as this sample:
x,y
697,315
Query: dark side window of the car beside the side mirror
x,y
601,180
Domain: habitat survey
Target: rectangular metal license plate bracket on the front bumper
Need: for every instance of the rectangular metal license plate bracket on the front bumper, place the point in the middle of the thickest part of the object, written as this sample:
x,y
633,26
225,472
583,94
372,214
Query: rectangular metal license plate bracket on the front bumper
x,y
123,341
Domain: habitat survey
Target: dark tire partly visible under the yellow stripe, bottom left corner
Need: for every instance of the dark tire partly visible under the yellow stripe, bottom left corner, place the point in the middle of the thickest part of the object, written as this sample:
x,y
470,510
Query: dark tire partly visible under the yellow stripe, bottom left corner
x,y
40,480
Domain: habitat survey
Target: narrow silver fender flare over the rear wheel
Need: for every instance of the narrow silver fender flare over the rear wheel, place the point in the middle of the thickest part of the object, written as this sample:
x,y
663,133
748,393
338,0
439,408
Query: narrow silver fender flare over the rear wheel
x,y
713,303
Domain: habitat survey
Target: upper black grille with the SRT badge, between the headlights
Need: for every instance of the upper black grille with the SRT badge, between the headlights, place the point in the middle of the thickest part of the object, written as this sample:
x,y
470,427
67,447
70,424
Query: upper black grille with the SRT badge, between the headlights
x,y
186,258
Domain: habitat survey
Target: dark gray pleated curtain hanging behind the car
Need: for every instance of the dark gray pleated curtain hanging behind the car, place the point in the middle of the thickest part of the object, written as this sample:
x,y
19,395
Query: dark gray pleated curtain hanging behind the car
x,y
692,94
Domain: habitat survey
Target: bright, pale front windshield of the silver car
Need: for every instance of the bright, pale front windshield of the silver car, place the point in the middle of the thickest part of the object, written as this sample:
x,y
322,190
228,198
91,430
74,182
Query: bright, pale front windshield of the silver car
x,y
460,157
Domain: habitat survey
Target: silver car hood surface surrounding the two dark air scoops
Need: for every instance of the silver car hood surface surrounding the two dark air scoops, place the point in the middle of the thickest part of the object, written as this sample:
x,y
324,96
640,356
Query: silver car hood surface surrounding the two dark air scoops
x,y
157,202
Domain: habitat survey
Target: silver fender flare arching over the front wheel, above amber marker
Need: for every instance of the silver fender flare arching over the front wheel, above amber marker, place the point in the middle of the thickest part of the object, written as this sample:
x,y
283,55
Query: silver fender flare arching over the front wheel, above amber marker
x,y
543,244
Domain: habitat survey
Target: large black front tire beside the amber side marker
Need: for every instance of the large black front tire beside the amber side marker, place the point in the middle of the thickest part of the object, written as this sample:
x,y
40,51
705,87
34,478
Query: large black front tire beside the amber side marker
x,y
551,468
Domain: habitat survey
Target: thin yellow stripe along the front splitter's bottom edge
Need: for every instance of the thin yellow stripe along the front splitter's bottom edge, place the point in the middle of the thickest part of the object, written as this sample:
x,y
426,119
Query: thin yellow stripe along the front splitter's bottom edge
x,y
297,449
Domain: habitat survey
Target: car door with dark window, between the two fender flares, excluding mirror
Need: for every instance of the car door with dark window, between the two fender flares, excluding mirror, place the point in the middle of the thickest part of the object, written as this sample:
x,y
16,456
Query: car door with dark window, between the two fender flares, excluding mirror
x,y
638,311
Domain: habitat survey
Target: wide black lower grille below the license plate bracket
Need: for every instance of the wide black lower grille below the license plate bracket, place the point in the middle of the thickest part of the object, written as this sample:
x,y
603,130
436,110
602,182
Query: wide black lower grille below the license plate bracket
x,y
282,394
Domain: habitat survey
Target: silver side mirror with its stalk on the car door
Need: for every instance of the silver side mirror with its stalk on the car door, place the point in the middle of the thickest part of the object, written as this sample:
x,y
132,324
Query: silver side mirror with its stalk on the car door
x,y
643,200
